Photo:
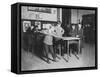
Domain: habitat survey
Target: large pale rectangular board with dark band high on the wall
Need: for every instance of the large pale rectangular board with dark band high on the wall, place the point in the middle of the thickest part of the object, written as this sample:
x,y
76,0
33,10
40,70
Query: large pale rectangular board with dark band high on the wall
x,y
39,13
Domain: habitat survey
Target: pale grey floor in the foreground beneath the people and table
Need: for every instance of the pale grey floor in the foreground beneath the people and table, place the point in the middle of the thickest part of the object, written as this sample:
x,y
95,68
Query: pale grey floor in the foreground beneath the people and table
x,y
30,61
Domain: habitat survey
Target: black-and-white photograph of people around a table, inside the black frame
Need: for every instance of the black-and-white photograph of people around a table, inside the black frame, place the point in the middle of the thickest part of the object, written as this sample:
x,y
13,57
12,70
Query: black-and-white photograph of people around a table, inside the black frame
x,y
57,38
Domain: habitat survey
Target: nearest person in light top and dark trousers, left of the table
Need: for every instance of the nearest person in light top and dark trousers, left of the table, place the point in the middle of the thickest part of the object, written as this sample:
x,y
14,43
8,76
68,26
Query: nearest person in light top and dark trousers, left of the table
x,y
48,42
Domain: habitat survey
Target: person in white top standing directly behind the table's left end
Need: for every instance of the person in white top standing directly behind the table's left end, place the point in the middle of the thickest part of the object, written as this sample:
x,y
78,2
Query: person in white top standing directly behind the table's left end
x,y
58,41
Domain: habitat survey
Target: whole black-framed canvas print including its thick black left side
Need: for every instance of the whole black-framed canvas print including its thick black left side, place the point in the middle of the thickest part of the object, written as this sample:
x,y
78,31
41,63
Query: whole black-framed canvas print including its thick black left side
x,y
53,38
